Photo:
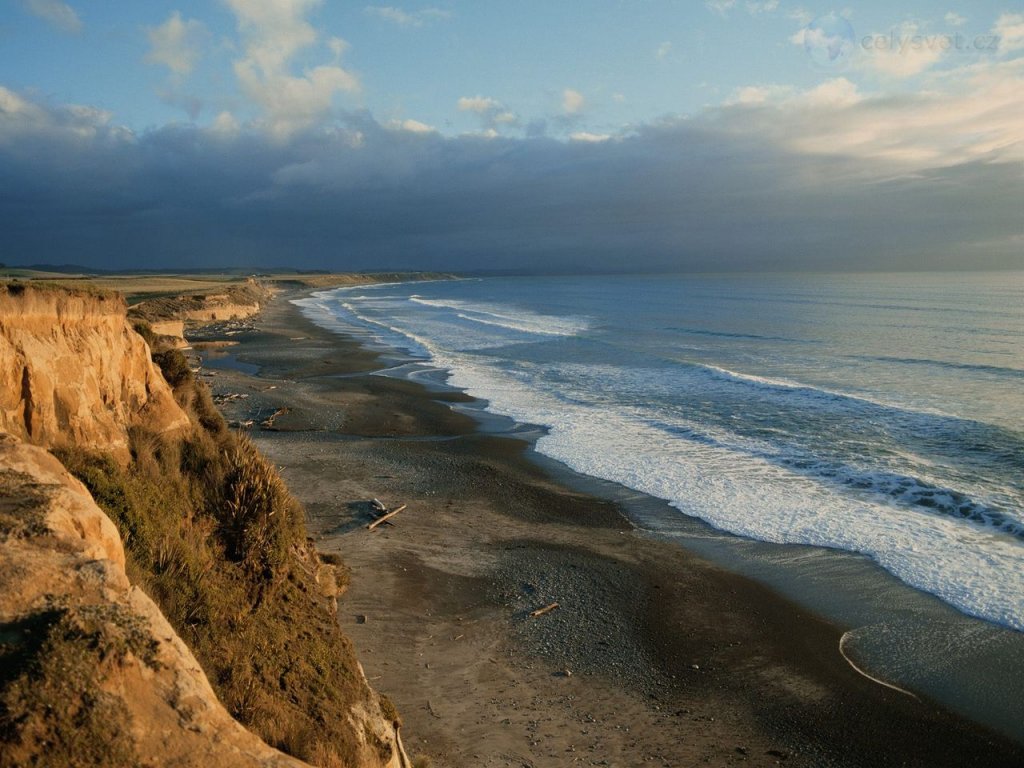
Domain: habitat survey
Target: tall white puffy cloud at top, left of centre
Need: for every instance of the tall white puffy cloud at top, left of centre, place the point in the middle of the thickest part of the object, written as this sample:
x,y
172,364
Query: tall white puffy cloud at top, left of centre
x,y
274,32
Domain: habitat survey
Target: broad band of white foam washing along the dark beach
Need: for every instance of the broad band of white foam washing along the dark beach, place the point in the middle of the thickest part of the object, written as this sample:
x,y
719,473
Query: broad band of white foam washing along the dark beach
x,y
974,569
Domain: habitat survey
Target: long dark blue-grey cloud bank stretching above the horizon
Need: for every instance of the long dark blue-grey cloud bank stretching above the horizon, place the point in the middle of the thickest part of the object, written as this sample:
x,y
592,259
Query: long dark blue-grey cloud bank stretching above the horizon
x,y
708,194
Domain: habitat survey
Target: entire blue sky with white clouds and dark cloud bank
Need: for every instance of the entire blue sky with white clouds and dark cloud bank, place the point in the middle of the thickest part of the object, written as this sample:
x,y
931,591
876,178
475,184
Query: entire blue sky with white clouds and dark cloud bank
x,y
587,137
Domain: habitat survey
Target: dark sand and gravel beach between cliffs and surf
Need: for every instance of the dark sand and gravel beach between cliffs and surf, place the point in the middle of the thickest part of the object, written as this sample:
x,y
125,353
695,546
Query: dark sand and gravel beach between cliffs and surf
x,y
655,657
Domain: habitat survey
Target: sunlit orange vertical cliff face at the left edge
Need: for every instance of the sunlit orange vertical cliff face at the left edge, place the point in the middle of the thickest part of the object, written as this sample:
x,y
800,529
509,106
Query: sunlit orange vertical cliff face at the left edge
x,y
74,373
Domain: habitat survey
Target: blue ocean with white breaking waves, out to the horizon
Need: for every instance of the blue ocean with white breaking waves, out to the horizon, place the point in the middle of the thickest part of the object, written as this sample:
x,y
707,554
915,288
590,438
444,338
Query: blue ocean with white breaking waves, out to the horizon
x,y
876,414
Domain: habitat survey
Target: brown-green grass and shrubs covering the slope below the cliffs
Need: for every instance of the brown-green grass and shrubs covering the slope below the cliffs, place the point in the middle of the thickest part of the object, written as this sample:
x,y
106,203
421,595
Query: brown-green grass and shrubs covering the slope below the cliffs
x,y
214,536
